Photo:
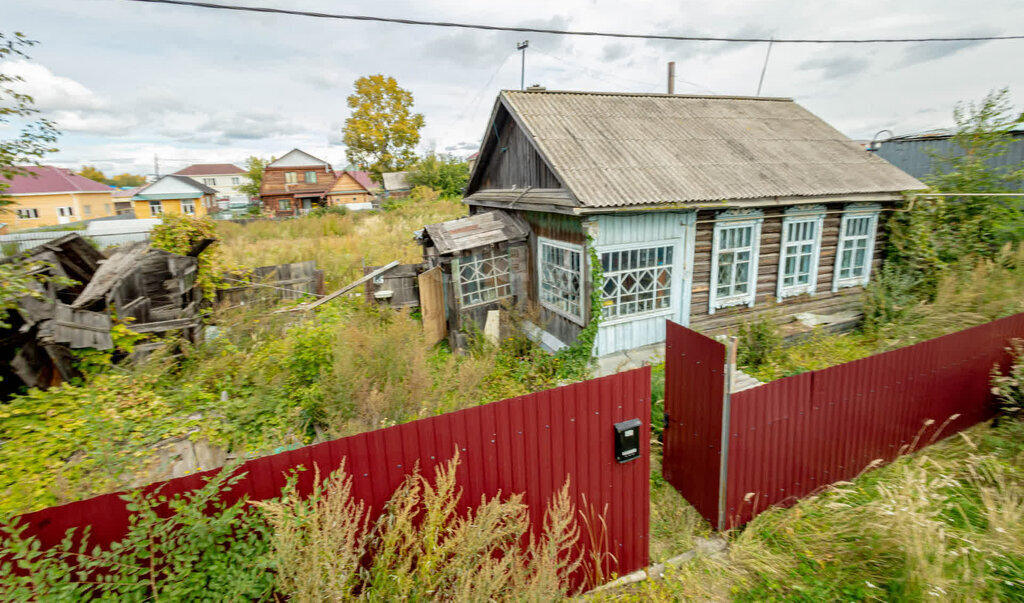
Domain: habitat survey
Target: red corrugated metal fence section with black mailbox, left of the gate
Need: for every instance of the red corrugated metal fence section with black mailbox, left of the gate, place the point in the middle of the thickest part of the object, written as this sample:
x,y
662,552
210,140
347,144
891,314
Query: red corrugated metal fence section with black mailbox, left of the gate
x,y
528,445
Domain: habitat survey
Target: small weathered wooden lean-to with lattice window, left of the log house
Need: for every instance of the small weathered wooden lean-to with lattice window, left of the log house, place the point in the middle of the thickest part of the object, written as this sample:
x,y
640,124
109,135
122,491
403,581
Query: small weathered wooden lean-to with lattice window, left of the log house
x,y
479,264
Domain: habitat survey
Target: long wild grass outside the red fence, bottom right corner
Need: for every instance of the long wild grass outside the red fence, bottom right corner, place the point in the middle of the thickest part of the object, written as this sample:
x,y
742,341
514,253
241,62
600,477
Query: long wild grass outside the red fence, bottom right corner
x,y
947,524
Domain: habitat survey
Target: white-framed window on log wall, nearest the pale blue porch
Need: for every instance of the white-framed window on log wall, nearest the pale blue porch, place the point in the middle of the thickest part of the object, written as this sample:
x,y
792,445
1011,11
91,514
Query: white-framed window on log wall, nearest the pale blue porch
x,y
735,260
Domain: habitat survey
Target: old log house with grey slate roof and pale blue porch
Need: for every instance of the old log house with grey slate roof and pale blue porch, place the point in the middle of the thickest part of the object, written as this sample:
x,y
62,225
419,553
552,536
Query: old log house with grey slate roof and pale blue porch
x,y
704,210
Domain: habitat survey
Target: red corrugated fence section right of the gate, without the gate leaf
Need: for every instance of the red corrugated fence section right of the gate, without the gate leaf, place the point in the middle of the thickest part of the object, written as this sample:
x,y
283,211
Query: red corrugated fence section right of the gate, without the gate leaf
x,y
795,436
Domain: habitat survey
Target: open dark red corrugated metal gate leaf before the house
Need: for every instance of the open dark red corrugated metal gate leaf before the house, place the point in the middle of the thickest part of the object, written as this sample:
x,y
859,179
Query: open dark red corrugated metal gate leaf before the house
x,y
694,387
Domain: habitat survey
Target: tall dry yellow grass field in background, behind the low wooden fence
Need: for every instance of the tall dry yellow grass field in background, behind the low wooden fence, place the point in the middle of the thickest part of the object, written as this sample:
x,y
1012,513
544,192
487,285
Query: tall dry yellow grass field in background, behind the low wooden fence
x,y
342,245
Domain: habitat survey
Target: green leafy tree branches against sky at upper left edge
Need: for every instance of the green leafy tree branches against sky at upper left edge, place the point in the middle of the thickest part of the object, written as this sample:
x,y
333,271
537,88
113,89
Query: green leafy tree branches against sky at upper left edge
x,y
36,137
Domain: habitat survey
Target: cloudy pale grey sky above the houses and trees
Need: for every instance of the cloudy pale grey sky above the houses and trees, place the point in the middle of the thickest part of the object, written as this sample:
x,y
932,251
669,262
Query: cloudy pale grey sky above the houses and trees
x,y
126,81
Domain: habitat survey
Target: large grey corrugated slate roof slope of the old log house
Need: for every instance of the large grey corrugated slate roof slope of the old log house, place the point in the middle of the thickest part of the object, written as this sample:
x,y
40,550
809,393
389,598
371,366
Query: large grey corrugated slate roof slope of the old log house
x,y
630,150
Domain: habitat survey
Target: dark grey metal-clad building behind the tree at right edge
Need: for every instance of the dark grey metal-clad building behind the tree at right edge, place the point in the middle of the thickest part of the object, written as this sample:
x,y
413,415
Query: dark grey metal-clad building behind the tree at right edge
x,y
916,154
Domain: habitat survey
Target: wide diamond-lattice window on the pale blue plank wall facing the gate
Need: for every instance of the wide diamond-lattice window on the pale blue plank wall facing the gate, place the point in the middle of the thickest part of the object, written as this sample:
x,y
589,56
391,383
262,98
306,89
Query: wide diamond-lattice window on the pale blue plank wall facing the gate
x,y
636,281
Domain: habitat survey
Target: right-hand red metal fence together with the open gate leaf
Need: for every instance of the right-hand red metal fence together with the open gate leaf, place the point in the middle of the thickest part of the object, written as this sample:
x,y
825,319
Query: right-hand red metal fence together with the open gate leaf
x,y
791,438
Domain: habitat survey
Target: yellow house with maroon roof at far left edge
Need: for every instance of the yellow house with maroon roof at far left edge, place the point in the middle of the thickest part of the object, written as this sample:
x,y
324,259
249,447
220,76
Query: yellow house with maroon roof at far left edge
x,y
50,196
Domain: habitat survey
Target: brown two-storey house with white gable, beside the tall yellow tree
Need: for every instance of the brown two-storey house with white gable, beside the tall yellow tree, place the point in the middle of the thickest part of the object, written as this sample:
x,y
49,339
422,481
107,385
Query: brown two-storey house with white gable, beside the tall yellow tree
x,y
296,184
